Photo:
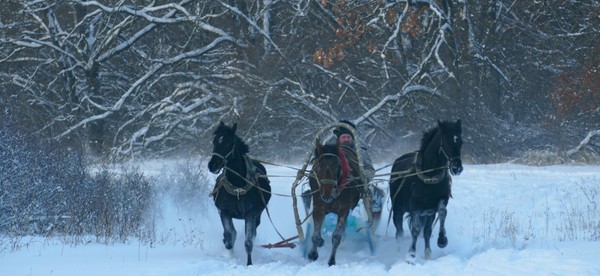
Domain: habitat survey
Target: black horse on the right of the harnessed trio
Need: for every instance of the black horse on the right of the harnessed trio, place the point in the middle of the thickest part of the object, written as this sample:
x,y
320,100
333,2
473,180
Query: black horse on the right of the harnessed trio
x,y
420,184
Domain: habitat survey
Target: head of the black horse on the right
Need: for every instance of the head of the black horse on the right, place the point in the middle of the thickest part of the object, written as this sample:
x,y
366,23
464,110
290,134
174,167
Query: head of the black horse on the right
x,y
451,144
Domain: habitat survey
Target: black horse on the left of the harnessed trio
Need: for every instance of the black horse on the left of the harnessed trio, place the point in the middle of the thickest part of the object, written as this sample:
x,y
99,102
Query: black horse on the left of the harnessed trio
x,y
242,191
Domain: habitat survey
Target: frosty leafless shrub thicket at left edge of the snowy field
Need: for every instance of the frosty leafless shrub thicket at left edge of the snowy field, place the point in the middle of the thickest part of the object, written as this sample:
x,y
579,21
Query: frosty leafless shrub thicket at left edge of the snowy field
x,y
46,189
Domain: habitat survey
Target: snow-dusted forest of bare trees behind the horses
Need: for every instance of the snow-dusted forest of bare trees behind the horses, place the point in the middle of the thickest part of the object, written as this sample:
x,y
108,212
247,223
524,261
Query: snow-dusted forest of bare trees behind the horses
x,y
121,78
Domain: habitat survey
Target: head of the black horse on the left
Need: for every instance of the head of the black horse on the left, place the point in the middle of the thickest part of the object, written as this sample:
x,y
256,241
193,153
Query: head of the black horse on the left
x,y
224,145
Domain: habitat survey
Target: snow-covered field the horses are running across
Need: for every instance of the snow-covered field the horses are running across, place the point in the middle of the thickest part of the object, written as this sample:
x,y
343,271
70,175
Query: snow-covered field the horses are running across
x,y
504,219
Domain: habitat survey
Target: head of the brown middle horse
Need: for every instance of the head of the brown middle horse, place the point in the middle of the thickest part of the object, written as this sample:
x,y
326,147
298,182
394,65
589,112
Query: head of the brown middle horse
x,y
327,170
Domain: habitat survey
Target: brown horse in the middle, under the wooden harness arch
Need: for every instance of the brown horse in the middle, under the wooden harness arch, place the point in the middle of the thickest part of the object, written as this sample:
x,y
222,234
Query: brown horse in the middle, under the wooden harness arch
x,y
335,187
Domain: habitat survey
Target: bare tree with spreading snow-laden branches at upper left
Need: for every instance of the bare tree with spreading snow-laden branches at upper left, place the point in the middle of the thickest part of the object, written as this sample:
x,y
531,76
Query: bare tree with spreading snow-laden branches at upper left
x,y
145,74
